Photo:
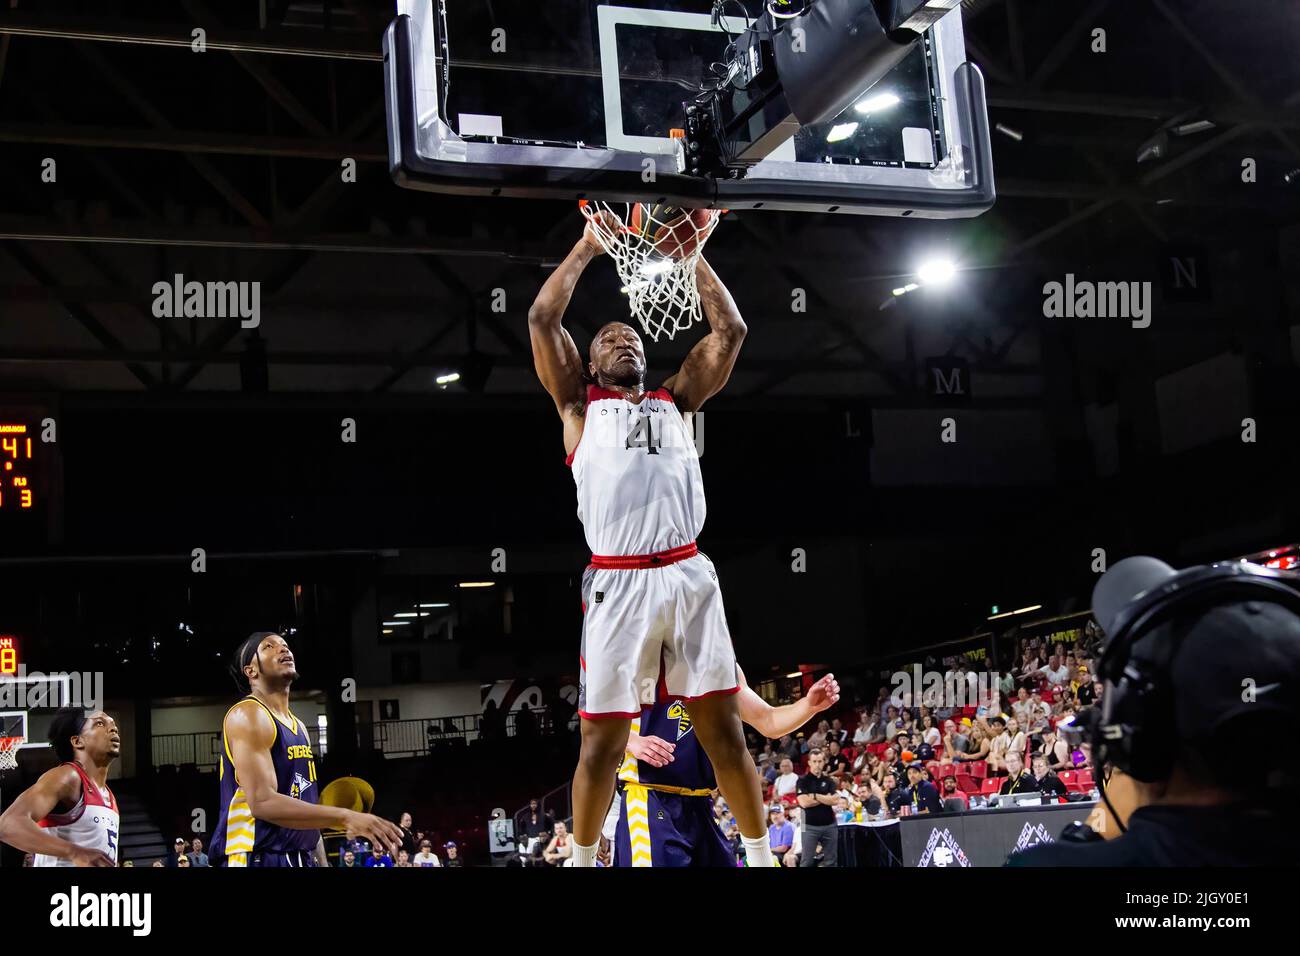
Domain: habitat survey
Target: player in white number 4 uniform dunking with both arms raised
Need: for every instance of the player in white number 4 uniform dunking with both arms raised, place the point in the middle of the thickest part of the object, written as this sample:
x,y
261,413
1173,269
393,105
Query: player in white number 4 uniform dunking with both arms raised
x,y
653,611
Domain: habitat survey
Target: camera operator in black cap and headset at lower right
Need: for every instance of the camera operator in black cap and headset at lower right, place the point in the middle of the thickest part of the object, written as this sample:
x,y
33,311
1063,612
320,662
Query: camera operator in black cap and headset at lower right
x,y
1195,663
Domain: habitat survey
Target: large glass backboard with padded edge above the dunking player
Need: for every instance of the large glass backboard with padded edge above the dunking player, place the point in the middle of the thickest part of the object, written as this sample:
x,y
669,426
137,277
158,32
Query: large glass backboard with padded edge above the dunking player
x,y
575,100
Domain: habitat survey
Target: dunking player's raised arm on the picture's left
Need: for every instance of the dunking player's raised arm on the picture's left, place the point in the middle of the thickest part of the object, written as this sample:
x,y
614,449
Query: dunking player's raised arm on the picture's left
x,y
557,360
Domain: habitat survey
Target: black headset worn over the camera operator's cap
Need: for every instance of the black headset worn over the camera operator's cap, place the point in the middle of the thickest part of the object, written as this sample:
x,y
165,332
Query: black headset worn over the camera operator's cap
x,y
1137,725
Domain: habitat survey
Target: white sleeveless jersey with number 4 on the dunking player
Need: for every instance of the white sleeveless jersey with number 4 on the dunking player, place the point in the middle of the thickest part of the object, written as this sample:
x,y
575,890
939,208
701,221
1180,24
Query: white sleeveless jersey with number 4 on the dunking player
x,y
638,474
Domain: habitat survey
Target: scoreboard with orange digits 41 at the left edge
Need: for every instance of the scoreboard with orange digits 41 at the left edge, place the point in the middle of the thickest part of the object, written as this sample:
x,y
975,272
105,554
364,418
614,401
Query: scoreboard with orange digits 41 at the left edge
x,y
31,475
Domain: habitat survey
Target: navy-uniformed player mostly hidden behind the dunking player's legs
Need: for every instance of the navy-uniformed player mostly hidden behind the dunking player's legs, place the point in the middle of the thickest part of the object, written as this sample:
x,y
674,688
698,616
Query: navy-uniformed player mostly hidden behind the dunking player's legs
x,y
666,807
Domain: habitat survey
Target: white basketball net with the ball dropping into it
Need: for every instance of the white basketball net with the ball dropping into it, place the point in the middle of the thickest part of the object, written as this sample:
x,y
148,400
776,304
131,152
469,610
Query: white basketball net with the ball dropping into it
x,y
656,249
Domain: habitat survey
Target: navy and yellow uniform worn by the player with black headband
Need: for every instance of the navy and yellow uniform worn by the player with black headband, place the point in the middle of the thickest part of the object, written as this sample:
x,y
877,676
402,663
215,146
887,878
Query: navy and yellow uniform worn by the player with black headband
x,y
240,834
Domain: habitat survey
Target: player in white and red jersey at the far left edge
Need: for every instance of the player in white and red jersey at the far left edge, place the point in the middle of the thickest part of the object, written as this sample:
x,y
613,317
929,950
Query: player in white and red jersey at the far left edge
x,y
70,816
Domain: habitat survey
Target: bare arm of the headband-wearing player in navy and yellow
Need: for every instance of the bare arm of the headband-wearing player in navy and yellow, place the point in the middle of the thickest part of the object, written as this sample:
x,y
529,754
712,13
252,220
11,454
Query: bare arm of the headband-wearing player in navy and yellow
x,y
250,733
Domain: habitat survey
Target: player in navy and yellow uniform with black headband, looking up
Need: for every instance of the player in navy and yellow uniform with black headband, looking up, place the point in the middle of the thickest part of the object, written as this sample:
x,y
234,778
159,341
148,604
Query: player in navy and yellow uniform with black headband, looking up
x,y
271,814
